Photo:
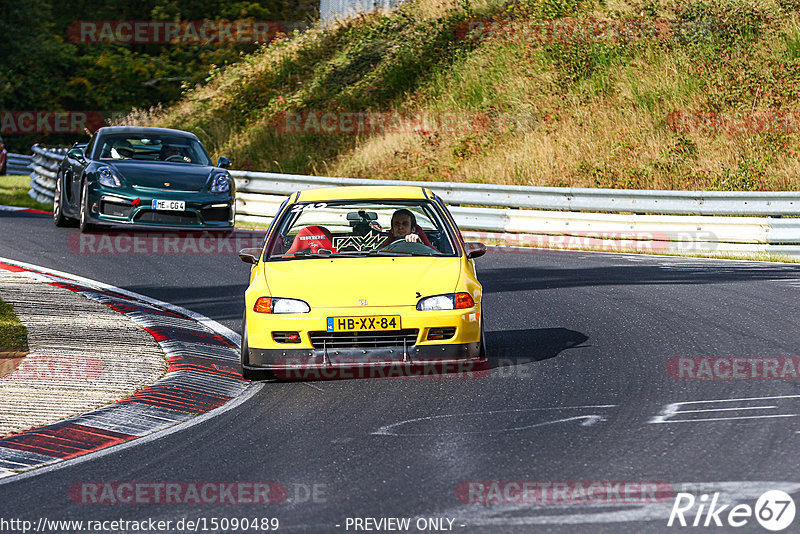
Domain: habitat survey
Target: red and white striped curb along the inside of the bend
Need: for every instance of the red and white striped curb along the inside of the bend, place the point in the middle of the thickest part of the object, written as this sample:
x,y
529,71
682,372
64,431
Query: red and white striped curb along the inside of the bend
x,y
202,379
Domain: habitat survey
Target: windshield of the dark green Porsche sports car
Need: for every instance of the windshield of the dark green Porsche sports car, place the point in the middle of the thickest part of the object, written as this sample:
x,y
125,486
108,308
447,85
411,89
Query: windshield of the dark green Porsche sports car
x,y
169,148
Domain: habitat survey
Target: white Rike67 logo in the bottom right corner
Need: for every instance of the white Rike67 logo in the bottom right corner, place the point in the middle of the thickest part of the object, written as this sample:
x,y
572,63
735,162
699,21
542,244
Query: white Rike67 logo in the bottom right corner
x,y
774,510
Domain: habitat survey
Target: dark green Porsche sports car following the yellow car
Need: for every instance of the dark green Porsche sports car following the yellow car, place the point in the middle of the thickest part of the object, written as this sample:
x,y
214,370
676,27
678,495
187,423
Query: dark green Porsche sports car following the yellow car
x,y
143,177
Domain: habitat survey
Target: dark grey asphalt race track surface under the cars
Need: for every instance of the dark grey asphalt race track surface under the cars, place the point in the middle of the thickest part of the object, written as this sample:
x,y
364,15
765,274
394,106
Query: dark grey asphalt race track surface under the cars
x,y
578,391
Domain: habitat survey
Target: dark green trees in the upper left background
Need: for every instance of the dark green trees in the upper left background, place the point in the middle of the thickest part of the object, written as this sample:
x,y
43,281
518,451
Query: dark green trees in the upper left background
x,y
48,64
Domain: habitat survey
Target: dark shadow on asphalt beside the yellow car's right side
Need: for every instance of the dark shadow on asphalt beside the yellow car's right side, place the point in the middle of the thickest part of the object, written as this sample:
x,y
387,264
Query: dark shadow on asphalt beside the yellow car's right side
x,y
517,347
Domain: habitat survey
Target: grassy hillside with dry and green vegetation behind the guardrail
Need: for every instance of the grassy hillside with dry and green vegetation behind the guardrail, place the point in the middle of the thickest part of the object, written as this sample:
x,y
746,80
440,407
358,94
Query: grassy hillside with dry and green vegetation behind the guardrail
x,y
698,94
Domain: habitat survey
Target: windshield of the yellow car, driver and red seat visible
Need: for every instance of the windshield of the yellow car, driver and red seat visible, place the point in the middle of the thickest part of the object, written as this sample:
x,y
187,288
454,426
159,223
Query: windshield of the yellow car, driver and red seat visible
x,y
361,228
